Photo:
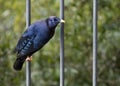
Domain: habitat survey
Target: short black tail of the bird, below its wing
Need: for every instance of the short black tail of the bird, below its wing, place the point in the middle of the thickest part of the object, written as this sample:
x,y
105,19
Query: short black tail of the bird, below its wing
x,y
19,63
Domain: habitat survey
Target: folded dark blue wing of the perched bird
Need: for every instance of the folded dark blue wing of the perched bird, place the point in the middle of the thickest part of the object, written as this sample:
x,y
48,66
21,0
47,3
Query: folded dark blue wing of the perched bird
x,y
25,43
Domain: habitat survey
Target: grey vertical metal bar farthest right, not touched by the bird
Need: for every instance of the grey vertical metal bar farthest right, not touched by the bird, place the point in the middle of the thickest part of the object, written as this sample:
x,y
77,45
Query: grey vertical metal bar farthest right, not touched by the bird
x,y
95,42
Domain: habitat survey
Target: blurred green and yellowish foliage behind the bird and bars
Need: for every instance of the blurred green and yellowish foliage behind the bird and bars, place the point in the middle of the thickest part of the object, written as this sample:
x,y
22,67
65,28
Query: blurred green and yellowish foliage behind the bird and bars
x,y
78,43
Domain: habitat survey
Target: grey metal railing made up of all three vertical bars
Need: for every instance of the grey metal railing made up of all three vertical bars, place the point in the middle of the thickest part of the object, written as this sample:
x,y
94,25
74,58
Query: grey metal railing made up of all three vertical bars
x,y
28,63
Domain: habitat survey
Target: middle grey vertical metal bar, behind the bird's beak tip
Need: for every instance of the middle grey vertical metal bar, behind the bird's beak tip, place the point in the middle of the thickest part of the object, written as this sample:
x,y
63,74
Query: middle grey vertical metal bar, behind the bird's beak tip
x,y
62,44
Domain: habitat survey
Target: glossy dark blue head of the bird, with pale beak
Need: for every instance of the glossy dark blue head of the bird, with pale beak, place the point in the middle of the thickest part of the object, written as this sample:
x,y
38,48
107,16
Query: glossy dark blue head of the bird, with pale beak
x,y
53,21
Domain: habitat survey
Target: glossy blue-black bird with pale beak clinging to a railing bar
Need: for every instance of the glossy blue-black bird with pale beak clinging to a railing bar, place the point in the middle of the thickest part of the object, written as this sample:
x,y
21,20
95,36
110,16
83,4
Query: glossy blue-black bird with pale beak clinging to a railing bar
x,y
34,38
